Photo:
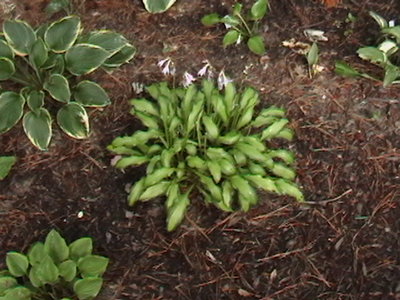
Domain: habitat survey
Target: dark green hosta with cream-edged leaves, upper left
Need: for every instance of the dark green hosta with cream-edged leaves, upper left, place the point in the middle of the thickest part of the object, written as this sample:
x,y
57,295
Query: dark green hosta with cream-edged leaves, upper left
x,y
48,64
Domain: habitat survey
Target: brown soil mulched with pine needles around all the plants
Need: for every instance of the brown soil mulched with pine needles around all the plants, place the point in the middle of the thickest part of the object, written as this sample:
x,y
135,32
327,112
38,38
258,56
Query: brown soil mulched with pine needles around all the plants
x,y
342,244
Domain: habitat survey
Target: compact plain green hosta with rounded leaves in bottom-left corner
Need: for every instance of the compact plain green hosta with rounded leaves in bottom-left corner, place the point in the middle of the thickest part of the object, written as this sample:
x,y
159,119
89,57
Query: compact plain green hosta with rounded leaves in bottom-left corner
x,y
53,270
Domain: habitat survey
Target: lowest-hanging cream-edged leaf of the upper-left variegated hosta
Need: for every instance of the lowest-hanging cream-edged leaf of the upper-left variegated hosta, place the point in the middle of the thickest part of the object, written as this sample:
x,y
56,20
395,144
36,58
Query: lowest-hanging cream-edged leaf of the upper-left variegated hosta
x,y
37,126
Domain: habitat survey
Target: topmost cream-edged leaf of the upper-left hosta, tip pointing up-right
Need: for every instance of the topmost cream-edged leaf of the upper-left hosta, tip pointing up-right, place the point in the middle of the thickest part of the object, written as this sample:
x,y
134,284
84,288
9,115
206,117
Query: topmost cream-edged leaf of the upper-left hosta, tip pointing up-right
x,y
61,35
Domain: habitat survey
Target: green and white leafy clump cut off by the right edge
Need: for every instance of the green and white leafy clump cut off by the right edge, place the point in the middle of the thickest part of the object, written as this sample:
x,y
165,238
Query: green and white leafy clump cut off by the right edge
x,y
385,55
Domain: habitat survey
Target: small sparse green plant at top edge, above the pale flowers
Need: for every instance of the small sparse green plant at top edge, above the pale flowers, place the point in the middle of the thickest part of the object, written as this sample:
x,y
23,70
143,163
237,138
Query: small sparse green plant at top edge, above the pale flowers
x,y
243,26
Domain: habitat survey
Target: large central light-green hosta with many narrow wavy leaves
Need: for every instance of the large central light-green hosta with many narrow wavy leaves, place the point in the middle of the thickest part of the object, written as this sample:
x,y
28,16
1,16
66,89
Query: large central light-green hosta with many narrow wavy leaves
x,y
201,142
